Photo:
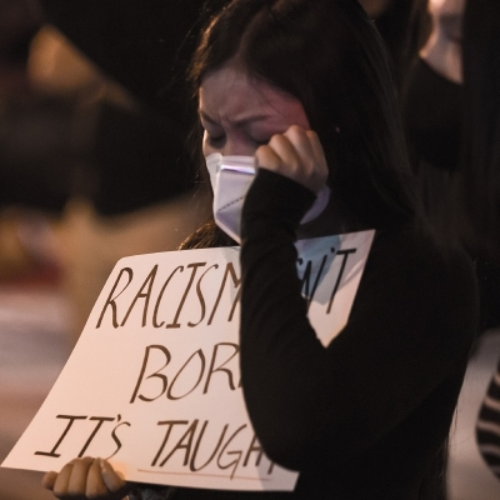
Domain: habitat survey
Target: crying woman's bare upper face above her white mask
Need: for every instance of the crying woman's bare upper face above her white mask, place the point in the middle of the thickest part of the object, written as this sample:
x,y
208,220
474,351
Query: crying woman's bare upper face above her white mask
x,y
239,114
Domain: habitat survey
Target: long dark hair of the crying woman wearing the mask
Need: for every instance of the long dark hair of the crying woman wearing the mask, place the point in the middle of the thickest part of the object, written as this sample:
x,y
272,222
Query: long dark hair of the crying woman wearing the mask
x,y
329,55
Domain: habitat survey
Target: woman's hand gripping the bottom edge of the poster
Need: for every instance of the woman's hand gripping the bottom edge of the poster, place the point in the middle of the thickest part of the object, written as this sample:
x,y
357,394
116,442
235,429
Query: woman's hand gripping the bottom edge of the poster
x,y
84,478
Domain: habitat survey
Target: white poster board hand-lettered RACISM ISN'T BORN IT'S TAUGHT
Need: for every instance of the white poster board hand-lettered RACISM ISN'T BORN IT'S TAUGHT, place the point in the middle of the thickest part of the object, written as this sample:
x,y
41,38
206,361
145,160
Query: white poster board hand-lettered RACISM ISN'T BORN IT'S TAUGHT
x,y
153,383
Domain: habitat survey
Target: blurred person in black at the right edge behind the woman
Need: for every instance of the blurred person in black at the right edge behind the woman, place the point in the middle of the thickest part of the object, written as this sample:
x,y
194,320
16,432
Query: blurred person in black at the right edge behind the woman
x,y
452,113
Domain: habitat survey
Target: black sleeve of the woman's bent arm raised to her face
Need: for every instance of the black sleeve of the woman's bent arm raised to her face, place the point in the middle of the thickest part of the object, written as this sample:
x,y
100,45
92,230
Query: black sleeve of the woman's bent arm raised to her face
x,y
411,323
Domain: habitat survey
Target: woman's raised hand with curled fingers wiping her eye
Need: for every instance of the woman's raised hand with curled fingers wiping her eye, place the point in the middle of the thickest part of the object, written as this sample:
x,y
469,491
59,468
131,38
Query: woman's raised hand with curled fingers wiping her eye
x,y
296,154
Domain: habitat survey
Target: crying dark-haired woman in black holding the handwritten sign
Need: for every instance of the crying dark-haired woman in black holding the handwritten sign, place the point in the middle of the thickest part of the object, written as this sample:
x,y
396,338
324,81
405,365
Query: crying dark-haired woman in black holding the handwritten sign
x,y
368,416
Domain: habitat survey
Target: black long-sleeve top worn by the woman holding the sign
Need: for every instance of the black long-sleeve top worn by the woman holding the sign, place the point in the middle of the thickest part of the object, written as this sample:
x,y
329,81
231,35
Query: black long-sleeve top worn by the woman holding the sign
x,y
366,417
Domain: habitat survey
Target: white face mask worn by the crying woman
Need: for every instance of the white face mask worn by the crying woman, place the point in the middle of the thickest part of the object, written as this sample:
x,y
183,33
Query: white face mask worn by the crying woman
x,y
231,177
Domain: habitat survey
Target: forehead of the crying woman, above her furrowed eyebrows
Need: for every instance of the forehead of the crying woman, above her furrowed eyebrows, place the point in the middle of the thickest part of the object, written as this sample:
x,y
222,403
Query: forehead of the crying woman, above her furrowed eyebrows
x,y
231,94
